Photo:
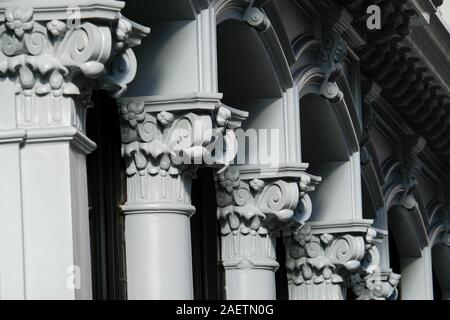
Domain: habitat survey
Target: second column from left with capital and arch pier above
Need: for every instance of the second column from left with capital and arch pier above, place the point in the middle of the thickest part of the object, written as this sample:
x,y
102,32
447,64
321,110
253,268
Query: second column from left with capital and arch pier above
x,y
170,115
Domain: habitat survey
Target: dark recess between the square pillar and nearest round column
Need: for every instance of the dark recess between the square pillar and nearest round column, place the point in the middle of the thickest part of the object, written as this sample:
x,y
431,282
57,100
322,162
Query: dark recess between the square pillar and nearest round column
x,y
106,193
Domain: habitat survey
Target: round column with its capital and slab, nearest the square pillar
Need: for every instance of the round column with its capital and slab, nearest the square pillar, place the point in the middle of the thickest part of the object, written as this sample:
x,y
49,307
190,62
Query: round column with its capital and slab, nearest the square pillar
x,y
164,140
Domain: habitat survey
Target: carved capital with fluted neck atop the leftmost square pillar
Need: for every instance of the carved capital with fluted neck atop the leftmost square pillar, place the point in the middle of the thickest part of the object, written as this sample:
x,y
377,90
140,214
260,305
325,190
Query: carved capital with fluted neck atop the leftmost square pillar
x,y
57,63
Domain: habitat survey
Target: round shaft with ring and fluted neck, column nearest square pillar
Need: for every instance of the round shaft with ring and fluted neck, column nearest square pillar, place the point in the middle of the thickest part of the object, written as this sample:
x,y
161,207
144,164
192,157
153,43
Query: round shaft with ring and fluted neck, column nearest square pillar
x,y
158,240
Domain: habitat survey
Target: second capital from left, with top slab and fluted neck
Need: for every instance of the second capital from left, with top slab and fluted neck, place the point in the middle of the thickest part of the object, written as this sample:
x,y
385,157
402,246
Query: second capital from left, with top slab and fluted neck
x,y
164,140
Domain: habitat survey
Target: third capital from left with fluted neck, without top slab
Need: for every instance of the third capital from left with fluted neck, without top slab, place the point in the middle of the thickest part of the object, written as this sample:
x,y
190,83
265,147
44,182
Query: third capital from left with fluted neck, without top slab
x,y
252,212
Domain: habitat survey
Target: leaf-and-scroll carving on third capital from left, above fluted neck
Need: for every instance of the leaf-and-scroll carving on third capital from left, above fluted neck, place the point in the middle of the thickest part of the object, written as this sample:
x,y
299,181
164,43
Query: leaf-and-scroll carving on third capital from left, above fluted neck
x,y
259,207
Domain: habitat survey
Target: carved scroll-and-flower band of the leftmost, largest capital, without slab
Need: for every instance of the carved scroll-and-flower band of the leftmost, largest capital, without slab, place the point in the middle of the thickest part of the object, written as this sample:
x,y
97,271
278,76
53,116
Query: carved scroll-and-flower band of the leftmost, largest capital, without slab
x,y
51,57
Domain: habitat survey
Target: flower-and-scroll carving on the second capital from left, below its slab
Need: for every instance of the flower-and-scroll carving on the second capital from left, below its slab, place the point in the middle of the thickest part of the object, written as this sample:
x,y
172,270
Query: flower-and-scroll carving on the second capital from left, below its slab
x,y
168,143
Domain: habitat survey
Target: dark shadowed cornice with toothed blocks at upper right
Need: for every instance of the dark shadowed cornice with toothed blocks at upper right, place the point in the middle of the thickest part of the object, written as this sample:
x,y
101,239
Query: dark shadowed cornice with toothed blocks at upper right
x,y
392,58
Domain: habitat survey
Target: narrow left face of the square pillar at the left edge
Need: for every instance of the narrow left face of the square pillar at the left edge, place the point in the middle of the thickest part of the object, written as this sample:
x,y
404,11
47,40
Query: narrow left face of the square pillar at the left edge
x,y
12,282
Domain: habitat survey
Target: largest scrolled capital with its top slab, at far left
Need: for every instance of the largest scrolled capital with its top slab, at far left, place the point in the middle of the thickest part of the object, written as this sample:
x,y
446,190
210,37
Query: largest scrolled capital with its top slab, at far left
x,y
59,49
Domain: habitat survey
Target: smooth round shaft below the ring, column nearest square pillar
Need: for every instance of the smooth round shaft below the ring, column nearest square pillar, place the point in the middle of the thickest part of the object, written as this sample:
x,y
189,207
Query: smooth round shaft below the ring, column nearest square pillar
x,y
159,256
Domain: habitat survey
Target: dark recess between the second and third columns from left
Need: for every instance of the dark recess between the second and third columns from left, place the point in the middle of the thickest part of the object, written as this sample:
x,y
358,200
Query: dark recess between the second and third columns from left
x,y
204,229
